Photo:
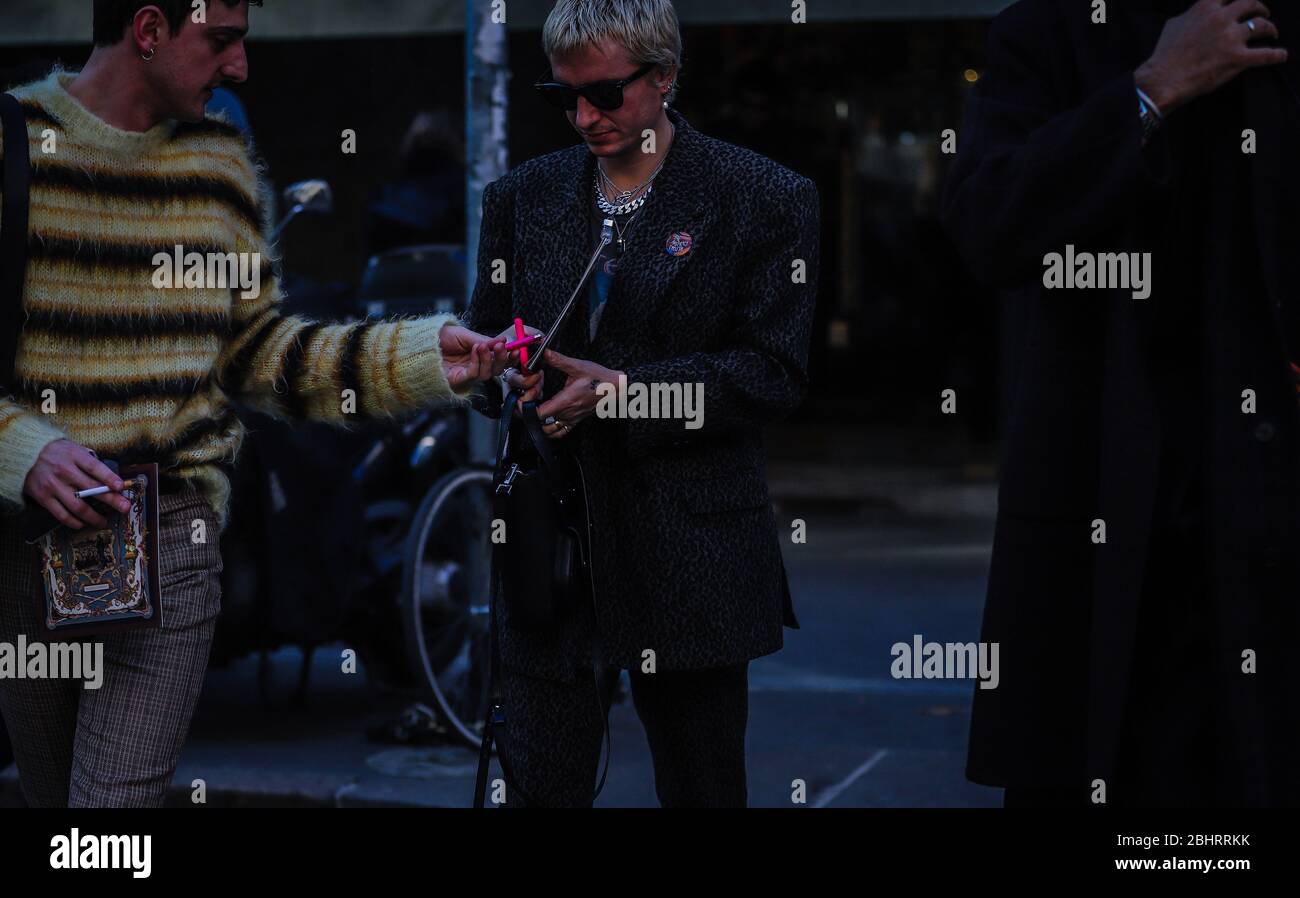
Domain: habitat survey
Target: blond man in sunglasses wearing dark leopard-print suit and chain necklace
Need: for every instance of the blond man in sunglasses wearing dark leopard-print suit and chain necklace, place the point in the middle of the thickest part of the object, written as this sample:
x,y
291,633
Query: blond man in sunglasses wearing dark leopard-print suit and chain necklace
x,y
712,283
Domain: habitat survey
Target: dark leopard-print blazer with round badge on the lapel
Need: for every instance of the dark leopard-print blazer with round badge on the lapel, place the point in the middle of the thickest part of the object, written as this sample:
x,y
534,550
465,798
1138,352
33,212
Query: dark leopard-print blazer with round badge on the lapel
x,y
687,549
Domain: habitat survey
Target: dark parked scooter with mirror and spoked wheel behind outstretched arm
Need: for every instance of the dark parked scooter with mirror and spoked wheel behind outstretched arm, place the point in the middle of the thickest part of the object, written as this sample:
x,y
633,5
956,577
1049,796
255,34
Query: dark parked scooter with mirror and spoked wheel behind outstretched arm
x,y
375,537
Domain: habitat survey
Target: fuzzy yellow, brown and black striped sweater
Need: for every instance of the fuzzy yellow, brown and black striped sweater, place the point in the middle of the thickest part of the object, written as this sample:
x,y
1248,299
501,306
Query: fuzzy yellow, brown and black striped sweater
x,y
138,372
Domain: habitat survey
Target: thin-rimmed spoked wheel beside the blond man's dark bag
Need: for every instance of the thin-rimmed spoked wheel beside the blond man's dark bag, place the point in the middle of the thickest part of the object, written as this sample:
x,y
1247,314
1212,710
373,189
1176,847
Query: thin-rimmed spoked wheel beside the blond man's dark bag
x,y
447,580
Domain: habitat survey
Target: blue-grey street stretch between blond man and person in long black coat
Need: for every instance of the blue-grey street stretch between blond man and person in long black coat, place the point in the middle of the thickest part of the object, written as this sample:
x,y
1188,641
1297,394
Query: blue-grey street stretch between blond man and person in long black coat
x,y
826,708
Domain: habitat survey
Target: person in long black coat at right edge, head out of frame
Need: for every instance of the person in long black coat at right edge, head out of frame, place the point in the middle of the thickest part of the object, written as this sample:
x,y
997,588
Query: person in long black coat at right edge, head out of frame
x,y
1146,569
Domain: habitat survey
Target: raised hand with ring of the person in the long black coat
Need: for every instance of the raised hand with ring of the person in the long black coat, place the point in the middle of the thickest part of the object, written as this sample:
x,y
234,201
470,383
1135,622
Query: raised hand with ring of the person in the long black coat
x,y
1206,49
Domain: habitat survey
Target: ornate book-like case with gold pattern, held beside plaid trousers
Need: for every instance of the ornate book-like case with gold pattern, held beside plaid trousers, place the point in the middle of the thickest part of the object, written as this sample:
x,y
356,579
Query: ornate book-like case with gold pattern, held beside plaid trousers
x,y
106,582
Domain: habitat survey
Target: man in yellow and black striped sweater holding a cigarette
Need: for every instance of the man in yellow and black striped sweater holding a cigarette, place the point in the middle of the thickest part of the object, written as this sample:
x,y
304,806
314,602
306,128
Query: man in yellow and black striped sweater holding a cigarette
x,y
124,170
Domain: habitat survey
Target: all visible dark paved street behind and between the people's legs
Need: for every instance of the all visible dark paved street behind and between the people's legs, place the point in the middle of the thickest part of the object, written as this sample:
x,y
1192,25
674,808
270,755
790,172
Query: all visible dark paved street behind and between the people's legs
x,y
825,710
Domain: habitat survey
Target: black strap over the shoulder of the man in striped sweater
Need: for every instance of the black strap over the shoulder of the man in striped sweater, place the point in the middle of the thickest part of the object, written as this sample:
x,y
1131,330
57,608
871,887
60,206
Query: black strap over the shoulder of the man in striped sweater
x,y
14,235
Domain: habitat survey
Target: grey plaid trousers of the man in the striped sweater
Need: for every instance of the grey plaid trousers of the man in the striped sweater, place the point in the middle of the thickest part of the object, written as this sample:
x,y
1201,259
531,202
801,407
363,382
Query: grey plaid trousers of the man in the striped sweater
x,y
116,747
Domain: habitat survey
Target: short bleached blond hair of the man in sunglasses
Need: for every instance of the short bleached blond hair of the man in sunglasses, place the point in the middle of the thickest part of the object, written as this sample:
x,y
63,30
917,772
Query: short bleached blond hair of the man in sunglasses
x,y
648,31
